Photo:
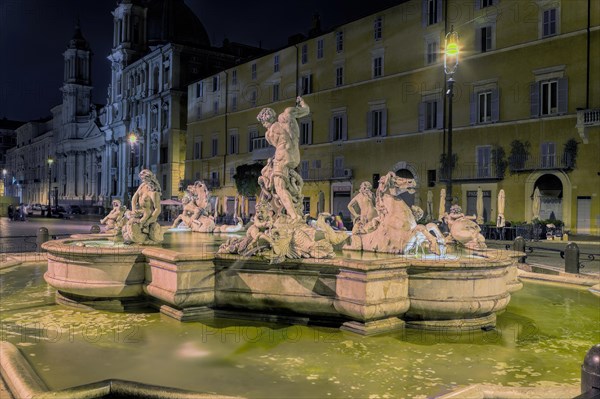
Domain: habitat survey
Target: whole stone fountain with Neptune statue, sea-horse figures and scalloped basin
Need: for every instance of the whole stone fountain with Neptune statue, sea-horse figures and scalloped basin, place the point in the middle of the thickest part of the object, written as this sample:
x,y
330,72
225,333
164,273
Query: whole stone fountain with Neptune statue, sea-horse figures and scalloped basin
x,y
393,271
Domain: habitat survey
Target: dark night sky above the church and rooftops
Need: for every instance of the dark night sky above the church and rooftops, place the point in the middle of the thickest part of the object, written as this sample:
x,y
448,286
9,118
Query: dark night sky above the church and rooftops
x,y
35,33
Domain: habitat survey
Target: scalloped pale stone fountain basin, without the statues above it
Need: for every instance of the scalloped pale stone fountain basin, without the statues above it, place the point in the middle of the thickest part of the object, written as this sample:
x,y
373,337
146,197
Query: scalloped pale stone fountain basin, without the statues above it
x,y
365,293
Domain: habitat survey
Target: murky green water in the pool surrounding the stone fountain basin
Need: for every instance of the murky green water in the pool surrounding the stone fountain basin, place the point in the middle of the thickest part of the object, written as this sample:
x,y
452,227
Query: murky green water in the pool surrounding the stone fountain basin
x,y
541,339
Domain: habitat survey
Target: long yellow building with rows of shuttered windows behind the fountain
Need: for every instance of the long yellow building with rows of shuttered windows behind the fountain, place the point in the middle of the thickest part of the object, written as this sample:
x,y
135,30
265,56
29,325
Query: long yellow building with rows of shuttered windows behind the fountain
x,y
528,77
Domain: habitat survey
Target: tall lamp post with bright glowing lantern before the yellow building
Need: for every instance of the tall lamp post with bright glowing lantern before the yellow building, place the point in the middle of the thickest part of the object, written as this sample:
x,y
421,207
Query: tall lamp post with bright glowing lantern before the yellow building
x,y
450,65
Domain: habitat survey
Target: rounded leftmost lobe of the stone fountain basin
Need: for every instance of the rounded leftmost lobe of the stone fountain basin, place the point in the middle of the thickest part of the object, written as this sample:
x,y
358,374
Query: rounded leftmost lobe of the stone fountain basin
x,y
95,267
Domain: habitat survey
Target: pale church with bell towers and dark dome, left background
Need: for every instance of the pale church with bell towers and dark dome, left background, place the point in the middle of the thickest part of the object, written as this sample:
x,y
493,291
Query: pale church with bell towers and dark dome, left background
x,y
159,46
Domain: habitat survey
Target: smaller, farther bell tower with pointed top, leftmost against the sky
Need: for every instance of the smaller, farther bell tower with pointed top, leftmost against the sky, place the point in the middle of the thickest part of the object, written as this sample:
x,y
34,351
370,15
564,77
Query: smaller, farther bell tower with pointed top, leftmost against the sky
x,y
77,81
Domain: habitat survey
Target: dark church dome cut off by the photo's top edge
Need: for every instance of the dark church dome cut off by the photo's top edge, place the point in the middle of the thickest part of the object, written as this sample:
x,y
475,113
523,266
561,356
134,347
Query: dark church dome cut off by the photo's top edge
x,y
172,21
